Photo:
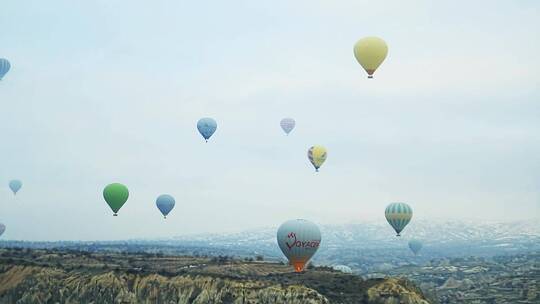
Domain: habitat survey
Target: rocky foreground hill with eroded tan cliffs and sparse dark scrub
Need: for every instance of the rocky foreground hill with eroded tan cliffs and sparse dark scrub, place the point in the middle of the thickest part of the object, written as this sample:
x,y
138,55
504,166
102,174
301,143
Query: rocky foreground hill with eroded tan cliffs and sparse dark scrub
x,y
52,276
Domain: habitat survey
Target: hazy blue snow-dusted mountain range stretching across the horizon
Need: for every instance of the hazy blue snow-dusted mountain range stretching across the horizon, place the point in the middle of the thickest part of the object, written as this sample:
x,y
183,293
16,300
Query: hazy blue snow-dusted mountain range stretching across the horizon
x,y
365,247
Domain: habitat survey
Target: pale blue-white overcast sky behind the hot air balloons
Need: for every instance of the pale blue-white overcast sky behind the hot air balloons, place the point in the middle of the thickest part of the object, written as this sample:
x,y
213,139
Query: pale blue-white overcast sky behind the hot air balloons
x,y
110,91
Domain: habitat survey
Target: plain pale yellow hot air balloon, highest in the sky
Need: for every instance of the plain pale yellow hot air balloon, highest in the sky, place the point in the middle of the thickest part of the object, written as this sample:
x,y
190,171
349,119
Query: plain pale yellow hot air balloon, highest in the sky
x,y
370,52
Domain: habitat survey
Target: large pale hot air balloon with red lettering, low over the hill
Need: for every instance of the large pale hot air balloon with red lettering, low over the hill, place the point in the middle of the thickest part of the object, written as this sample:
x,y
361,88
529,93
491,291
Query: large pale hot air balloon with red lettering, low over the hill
x,y
299,240
